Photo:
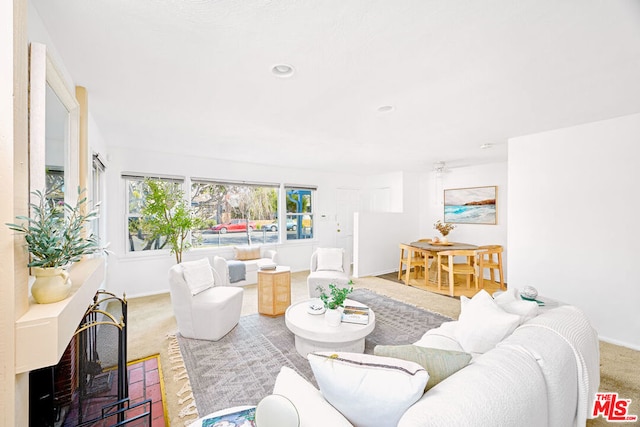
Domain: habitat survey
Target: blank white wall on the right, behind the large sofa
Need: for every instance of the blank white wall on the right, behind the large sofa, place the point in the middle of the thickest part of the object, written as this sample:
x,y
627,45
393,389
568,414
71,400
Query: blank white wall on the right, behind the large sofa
x,y
573,228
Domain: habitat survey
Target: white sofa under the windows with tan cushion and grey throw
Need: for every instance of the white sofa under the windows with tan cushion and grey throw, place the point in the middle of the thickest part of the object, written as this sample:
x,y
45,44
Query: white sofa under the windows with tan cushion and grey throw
x,y
252,257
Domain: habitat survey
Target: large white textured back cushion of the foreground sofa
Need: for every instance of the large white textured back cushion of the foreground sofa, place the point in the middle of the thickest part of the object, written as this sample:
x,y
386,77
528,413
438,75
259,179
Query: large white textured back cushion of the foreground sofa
x,y
503,387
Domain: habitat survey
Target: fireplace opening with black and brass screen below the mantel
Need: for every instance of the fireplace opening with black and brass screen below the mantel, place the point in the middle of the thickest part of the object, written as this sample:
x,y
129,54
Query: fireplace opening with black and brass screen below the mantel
x,y
91,373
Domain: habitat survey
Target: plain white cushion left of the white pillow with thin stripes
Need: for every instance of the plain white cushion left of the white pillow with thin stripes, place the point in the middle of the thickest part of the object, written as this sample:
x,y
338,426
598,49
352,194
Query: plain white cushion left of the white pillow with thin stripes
x,y
313,409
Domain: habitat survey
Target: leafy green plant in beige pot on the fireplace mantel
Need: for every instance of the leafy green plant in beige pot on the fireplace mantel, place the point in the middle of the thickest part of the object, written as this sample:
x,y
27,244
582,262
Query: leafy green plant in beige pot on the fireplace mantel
x,y
55,237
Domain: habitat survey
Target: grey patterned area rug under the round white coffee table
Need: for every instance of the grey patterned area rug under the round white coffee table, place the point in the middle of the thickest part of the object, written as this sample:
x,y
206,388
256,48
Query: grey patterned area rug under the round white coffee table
x,y
241,368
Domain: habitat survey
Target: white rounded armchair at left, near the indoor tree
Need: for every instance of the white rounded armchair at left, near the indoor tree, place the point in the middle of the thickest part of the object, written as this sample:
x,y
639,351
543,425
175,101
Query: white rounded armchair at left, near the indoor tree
x,y
204,308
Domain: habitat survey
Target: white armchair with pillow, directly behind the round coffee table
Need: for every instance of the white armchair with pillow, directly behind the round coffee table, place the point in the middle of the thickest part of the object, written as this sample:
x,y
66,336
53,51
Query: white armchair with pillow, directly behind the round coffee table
x,y
328,265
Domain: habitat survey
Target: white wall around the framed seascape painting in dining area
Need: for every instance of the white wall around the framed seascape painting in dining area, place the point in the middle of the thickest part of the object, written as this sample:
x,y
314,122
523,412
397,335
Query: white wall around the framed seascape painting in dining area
x,y
432,204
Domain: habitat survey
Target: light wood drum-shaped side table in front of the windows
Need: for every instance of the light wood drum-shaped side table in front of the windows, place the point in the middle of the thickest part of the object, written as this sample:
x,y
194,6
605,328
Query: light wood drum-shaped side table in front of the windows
x,y
274,291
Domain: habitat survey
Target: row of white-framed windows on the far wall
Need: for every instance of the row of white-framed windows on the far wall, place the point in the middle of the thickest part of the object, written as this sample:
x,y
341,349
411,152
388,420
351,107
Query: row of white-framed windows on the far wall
x,y
231,213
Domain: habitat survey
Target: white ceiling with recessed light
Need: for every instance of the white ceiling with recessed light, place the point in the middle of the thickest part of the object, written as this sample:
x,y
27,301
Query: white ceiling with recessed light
x,y
195,75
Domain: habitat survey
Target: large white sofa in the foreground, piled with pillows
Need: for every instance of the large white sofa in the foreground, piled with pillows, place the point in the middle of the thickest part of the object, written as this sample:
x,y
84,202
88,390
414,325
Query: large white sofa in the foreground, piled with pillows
x,y
545,373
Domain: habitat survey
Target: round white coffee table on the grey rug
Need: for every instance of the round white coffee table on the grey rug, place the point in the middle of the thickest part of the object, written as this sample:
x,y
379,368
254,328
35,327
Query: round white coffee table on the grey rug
x,y
313,334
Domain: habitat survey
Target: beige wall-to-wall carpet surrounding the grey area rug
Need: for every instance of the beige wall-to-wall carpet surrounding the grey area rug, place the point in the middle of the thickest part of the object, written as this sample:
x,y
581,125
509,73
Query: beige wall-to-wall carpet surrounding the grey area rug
x,y
151,324
